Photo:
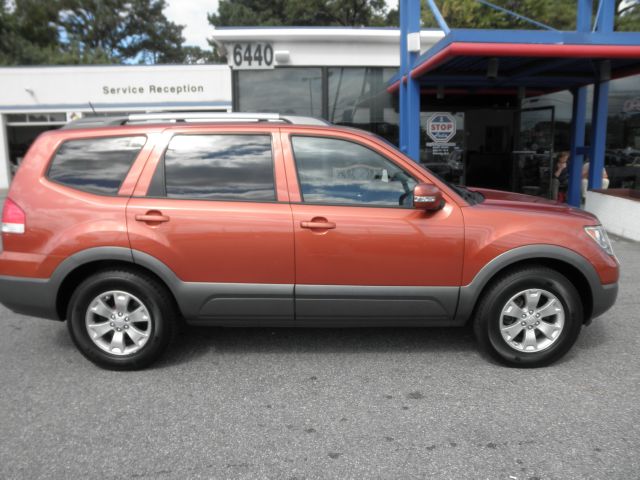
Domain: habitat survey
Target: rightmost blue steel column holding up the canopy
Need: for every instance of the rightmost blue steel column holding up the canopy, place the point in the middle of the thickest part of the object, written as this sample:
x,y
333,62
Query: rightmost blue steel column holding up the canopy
x,y
604,24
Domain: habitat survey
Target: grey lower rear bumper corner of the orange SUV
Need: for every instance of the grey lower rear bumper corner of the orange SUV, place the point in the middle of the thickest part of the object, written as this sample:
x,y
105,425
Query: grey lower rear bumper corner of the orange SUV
x,y
29,296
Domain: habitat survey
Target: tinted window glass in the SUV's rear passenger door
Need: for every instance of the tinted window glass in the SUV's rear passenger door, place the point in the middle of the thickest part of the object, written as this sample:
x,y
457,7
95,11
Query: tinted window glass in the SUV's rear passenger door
x,y
220,167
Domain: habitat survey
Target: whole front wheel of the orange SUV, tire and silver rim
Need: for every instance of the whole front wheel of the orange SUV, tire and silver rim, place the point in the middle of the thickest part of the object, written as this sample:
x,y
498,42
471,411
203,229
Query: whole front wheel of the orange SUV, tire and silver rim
x,y
529,317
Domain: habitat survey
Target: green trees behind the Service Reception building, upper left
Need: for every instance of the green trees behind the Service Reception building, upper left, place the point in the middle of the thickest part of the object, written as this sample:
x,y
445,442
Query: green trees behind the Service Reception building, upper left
x,y
35,32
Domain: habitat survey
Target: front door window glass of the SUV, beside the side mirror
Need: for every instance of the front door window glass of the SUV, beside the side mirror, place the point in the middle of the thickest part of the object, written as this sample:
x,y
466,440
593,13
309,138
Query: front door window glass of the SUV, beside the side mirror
x,y
341,172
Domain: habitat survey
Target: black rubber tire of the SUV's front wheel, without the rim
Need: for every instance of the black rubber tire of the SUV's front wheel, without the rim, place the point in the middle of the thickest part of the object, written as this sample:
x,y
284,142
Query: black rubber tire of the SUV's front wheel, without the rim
x,y
488,316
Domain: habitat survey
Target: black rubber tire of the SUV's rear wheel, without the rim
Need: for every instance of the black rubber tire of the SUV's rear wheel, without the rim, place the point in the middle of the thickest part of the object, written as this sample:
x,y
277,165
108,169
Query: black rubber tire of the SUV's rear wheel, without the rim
x,y
154,296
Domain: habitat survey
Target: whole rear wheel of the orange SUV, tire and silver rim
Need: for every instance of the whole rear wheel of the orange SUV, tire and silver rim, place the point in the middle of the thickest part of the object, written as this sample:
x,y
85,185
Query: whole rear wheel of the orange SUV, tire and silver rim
x,y
121,320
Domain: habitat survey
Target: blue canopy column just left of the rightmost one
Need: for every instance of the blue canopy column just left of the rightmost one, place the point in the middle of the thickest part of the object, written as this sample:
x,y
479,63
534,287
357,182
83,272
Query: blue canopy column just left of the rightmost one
x,y
579,112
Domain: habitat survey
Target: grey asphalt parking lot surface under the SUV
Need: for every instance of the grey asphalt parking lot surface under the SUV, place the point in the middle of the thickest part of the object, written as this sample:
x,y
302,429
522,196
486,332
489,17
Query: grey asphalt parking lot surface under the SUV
x,y
354,403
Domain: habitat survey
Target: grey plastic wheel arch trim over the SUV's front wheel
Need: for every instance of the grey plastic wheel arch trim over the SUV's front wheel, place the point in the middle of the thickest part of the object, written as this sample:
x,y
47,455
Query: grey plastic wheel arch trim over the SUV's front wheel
x,y
572,265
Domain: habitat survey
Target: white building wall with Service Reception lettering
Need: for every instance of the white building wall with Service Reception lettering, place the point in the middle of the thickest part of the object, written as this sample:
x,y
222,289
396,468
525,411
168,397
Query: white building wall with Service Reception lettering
x,y
104,88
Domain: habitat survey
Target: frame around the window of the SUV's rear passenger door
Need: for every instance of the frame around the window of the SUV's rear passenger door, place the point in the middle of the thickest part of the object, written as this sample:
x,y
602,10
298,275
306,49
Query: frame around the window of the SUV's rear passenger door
x,y
161,164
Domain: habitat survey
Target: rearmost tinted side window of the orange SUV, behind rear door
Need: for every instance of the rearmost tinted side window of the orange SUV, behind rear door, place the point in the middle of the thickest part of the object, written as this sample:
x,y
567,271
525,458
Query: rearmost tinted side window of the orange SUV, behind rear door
x,y
95,165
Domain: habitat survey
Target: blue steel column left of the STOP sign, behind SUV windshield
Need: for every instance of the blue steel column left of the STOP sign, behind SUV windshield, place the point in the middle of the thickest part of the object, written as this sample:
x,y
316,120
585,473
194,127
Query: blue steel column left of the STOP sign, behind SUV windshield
x,y
413,86
